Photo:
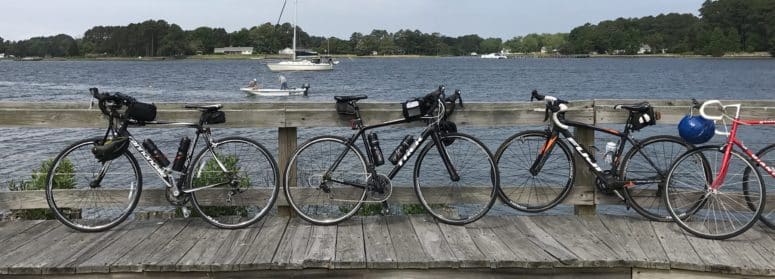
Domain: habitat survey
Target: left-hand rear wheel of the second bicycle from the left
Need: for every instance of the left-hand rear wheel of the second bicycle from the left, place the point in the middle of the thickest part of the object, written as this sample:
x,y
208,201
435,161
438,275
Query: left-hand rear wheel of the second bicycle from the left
x,y
319,207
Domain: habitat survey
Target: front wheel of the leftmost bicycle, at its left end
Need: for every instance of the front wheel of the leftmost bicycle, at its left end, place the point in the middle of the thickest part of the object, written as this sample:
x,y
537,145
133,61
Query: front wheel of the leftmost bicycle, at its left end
x,y
90,196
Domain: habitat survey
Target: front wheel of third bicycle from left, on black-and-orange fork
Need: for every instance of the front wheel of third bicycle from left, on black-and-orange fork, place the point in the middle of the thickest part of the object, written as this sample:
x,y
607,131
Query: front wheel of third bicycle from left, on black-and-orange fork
x,y
514,158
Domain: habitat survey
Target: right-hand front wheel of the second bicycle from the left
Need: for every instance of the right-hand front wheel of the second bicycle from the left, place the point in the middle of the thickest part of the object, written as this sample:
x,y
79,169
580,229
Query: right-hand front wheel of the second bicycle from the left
x,y
461,201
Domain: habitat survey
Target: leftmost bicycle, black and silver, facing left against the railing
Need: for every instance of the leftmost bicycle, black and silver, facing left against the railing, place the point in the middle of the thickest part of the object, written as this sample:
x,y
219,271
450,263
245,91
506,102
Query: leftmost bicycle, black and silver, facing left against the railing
x,y
95,184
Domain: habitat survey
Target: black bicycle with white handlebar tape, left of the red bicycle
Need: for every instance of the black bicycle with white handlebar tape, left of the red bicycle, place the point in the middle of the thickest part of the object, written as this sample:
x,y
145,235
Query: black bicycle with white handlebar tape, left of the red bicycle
x,y
538,169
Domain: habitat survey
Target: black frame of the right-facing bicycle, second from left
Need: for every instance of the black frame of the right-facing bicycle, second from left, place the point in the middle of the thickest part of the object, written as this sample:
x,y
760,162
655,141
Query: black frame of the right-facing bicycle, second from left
x,y
429,131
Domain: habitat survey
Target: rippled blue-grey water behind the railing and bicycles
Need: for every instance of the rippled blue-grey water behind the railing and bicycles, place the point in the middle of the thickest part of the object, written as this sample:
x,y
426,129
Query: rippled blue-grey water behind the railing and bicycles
x,y
389,80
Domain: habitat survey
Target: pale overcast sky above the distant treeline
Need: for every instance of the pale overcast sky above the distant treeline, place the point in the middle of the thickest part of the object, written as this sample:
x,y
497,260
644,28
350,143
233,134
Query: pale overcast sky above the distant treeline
x,y
487,18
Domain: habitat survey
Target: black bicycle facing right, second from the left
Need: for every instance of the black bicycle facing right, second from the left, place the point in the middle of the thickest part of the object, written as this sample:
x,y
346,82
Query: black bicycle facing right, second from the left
x,y
334,178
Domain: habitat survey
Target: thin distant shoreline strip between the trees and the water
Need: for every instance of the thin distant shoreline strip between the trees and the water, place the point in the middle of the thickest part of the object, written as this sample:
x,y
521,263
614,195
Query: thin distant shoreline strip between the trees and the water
x,y
754,55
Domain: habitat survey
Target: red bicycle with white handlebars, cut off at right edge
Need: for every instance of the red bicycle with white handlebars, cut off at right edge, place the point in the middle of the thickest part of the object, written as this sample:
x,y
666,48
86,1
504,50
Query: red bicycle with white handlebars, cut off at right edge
x,y
708,176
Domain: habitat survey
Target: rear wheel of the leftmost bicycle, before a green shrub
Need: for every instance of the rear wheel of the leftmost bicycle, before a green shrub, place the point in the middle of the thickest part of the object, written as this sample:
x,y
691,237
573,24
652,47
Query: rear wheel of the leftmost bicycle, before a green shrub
x,y
240,195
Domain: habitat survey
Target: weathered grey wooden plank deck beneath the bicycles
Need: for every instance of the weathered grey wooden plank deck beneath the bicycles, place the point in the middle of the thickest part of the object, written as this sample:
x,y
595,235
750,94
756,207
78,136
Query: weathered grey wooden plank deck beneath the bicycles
x,y
285,246
